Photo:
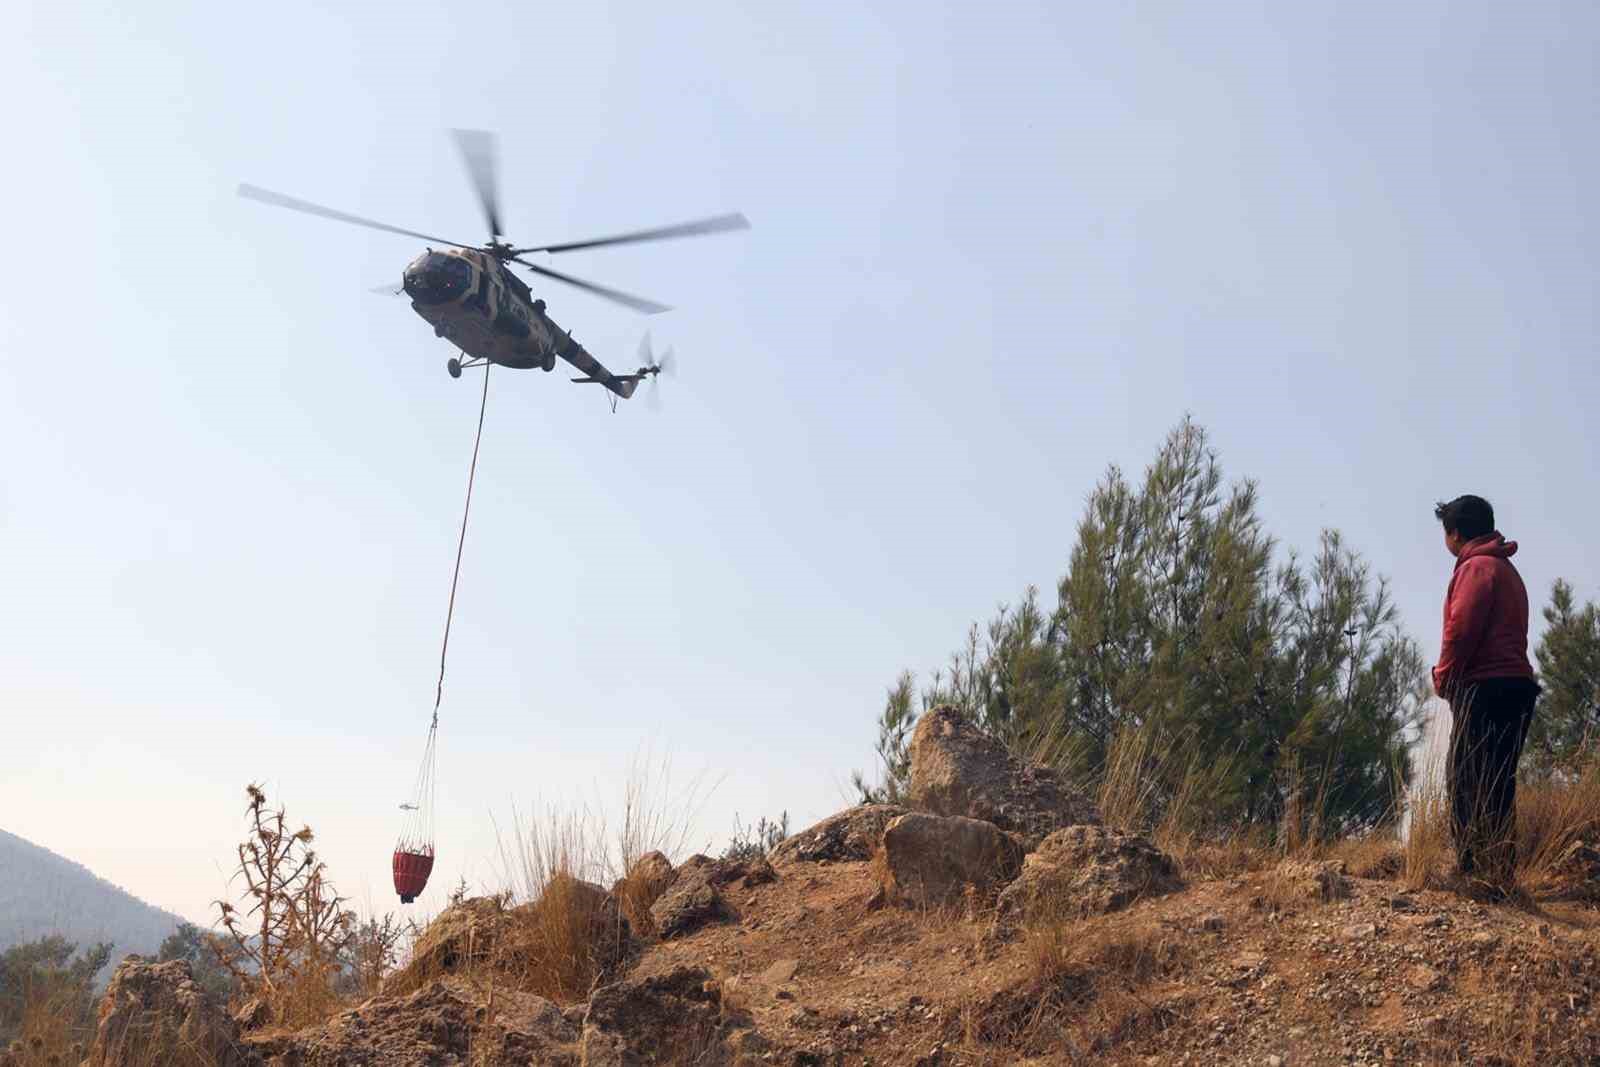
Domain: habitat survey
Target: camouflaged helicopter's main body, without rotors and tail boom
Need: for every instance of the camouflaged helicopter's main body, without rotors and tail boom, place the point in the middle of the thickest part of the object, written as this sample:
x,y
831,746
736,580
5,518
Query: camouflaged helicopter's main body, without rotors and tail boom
x,y
486,311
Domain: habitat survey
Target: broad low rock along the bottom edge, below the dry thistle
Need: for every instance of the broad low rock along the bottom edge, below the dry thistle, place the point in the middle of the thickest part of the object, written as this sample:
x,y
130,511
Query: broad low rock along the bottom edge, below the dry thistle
x,y
444,1023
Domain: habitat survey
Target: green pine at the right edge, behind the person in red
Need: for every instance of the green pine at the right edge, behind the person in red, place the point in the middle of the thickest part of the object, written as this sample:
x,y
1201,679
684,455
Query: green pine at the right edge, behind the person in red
x,y
1569,653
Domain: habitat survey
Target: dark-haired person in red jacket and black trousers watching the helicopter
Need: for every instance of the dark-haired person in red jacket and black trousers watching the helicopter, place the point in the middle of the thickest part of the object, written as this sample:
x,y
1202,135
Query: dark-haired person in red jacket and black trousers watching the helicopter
x,y
1486,674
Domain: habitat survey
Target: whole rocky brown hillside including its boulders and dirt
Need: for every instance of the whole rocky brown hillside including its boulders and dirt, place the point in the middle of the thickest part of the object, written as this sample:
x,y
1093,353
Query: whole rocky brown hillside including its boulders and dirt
x,y
993,919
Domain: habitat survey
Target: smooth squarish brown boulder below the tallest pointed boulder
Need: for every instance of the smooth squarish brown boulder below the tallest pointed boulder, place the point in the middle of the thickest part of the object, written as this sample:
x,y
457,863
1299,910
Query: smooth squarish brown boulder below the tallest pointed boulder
x,y
932,860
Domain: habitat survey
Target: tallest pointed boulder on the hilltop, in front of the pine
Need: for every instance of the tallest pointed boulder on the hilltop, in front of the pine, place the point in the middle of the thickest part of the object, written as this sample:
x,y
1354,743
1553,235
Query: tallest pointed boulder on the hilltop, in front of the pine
x,y
958,770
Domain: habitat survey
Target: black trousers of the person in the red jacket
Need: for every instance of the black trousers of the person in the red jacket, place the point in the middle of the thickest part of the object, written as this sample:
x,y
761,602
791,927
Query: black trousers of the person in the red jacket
x,y
1490,724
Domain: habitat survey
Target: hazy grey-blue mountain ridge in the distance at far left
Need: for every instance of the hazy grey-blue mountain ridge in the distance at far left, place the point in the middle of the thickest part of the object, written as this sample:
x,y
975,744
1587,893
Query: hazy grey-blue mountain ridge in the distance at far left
x,y
44,893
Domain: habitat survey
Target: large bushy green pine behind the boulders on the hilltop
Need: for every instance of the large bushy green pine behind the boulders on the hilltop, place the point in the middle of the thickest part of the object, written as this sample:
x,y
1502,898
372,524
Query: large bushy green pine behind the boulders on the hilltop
x,y
1250,679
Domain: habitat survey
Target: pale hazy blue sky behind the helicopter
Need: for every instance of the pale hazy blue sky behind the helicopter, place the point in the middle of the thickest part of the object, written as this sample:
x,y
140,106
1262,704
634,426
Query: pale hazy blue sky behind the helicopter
x,y
996,249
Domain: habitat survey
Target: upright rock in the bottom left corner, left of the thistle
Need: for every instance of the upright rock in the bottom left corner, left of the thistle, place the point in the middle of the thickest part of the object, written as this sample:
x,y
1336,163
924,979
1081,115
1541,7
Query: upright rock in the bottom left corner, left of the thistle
x,y
150,1010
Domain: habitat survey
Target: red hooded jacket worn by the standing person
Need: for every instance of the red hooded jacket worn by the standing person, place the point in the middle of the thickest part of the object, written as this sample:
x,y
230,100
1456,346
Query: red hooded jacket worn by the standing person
x,y
1486,618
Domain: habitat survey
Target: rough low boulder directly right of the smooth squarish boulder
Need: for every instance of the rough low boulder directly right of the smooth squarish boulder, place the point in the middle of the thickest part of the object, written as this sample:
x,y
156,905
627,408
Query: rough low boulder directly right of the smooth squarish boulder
x,y
1089,871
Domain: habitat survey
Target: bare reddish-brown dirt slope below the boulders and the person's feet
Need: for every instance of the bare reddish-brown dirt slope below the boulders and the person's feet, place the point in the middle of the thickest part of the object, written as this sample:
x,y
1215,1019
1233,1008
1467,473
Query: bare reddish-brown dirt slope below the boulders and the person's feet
x,y
1241,970
